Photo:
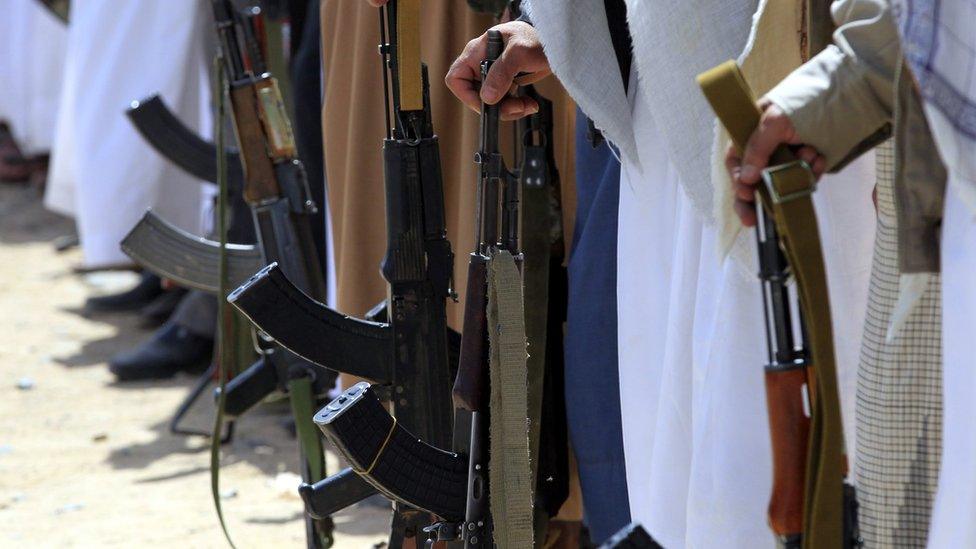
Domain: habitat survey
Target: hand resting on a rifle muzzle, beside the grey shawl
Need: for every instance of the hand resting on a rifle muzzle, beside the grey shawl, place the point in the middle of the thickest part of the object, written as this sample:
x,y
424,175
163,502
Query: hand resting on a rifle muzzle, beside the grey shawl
x,y
522,62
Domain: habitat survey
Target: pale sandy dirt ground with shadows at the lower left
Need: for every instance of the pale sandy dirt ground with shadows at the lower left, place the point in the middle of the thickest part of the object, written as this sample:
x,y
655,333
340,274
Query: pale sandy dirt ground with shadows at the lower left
x,y
85,462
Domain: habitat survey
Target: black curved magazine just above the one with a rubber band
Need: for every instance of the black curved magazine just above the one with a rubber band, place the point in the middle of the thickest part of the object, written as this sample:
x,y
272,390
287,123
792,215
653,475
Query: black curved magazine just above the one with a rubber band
x,y
312,330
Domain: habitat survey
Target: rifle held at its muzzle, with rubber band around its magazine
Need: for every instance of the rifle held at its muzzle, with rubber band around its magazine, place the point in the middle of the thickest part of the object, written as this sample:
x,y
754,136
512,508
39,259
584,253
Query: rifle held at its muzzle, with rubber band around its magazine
x,y
452,486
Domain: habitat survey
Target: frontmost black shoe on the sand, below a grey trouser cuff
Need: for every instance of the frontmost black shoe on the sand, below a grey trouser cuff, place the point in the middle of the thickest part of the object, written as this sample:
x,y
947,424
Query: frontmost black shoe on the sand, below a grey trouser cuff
x,y
171,349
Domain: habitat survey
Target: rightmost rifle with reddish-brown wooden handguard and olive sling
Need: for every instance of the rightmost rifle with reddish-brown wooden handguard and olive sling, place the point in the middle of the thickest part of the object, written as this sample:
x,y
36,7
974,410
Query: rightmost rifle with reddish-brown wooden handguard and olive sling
x,y
811,506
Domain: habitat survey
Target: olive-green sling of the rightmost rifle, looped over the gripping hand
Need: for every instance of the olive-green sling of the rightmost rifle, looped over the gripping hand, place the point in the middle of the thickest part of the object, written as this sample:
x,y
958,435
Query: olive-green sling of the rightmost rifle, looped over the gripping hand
x,y
787,197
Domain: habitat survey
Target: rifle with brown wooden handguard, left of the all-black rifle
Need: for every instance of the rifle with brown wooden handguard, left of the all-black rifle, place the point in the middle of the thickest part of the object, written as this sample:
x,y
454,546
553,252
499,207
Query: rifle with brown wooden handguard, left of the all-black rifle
x,y
276,190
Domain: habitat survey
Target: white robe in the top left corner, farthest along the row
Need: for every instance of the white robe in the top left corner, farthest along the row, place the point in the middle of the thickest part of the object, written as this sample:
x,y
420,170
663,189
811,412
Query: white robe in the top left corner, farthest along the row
x,y
33,44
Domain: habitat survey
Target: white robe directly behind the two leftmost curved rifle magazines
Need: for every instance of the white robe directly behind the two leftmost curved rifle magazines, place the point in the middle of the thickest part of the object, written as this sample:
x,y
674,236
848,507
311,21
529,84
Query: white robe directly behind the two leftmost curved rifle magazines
x,y
103,173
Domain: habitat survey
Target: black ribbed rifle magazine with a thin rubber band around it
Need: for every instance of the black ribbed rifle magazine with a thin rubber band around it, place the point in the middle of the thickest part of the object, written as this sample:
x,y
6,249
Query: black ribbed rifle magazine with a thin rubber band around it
x,y
389,457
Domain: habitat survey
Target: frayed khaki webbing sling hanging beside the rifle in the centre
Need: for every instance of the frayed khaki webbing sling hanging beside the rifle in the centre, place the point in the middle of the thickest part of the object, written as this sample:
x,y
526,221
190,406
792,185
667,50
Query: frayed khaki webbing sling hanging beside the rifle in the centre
x,y
510,478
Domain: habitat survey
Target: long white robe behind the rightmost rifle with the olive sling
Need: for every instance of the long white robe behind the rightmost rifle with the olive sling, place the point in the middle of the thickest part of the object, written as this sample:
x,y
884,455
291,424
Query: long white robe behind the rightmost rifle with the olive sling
x,y
692,348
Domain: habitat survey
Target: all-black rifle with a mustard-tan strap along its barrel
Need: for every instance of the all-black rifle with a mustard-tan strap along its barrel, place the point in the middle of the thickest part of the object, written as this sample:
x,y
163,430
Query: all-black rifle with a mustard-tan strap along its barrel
x,y
409,355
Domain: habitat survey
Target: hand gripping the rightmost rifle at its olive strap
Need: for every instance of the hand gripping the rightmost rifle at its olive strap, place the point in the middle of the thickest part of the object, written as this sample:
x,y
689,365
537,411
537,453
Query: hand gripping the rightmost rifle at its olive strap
x,y
775,129
